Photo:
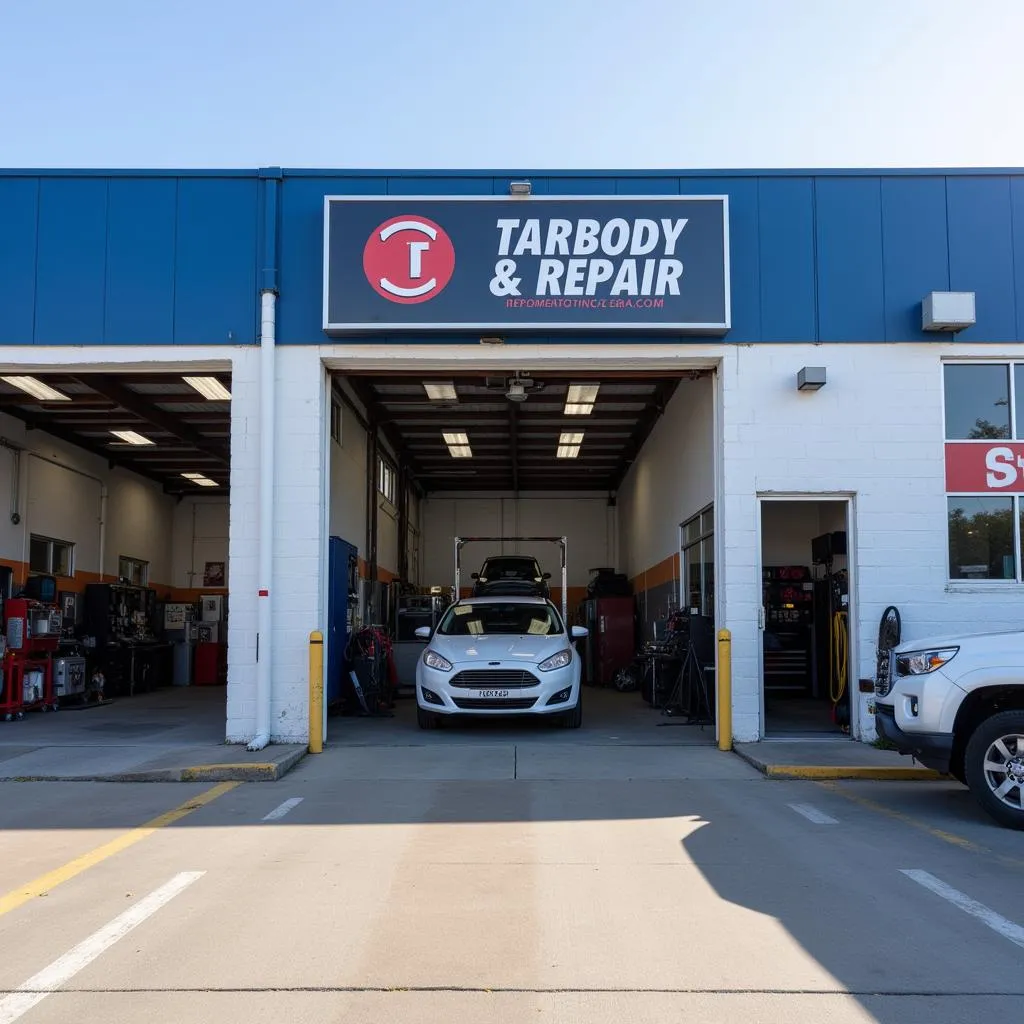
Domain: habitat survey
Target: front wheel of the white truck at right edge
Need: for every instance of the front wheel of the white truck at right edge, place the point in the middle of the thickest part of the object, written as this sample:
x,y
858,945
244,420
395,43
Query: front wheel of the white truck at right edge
x,y
994,765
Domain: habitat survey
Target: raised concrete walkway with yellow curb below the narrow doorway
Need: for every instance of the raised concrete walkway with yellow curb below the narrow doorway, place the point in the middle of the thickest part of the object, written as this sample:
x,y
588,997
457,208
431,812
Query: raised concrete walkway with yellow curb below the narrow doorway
x,y
831,759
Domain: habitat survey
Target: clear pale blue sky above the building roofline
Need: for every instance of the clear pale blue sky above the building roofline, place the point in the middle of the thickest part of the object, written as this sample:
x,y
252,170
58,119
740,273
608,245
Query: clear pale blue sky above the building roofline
x,y
514,84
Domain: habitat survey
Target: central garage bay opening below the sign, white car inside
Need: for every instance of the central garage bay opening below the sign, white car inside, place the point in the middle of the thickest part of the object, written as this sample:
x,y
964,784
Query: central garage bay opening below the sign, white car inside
x,y
612,462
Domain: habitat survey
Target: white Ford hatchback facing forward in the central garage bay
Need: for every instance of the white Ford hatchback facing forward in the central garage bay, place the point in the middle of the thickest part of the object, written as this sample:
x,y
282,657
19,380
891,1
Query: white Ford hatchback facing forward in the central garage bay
x,y
500,656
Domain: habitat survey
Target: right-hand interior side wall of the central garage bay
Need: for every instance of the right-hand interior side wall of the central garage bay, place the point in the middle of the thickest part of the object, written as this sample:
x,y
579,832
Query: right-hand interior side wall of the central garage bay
x,y
672,480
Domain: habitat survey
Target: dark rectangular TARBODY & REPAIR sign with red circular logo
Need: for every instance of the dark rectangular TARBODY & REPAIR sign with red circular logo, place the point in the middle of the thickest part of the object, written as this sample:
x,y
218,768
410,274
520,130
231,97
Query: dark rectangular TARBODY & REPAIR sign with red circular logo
x,y
538,264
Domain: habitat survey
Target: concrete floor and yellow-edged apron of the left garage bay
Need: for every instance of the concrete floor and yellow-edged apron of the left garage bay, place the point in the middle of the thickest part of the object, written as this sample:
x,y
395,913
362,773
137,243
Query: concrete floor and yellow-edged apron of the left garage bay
x,y
172,736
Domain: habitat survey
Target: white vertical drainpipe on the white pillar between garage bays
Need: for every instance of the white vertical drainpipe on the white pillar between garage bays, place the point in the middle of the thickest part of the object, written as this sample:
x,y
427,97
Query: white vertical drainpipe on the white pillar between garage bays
x,y
267,478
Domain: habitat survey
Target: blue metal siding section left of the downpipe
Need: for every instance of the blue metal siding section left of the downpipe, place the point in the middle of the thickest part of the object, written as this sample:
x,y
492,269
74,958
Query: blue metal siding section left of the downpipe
x,y
124,260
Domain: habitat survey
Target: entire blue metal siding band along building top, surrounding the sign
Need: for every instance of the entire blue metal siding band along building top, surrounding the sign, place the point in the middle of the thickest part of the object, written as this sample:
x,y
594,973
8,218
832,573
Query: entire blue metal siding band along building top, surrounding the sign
x,y
174,258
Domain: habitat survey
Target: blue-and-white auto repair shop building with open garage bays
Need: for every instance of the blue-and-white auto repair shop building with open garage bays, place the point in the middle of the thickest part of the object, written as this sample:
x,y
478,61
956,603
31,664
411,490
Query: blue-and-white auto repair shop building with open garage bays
x,y
803,401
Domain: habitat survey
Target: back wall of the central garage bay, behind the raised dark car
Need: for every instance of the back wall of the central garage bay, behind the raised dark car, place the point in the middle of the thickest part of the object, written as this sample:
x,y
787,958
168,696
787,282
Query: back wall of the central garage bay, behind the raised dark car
x,y
585,521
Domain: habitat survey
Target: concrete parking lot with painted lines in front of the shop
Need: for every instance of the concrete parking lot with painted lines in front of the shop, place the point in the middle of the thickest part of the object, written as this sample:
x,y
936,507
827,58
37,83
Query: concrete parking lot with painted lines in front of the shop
x,y
582,882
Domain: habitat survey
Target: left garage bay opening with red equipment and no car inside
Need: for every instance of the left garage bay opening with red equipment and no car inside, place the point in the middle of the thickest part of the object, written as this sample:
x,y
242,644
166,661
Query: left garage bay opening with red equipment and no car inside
x,y
114,553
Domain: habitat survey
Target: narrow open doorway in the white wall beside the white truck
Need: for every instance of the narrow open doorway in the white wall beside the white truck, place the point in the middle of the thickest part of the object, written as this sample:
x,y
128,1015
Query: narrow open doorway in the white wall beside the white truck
x,y
806,616
